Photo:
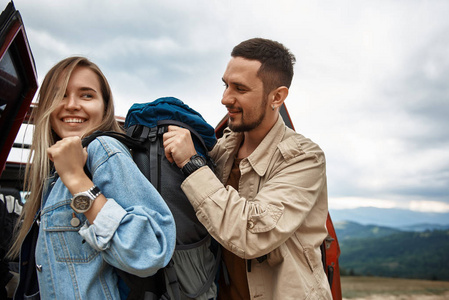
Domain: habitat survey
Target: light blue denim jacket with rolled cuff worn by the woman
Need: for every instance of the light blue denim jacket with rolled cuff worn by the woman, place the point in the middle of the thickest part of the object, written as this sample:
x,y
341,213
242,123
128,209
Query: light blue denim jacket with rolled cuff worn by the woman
x,y
134,231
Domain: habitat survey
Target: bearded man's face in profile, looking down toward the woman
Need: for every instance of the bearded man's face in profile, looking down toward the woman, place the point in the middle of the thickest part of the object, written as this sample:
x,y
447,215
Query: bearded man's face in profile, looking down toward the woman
x,y
244,95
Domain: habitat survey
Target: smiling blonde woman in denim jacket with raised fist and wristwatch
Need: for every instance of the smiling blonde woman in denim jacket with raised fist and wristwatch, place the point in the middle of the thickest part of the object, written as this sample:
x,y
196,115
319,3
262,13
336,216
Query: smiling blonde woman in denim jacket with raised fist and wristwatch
x,y
85,225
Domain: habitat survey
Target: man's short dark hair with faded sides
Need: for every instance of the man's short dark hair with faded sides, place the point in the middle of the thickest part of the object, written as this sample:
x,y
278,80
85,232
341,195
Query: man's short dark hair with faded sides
x,y
277,61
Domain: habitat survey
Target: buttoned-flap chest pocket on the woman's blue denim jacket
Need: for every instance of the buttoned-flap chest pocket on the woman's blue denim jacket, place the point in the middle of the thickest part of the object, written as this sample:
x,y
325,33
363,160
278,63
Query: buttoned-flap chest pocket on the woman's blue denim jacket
x,y
68,245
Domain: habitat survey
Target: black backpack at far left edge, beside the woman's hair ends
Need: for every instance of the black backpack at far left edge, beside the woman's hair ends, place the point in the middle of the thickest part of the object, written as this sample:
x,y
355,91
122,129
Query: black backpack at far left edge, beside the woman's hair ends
x,y
10,209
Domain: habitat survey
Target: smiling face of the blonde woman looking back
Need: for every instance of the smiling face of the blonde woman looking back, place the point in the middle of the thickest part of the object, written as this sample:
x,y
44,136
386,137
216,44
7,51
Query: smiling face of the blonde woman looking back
x,y
82,107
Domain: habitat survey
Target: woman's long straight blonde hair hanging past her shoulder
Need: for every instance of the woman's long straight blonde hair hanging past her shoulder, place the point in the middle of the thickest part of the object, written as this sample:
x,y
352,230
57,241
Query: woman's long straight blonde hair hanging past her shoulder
x,y
39,167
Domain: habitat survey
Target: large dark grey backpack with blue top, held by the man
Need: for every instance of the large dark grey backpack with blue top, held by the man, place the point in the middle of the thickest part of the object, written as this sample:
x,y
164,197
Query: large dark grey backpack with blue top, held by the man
x,y
194,264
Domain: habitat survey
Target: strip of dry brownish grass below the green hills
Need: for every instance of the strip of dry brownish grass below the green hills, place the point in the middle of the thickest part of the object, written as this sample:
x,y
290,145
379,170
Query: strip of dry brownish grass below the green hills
x,y
359,287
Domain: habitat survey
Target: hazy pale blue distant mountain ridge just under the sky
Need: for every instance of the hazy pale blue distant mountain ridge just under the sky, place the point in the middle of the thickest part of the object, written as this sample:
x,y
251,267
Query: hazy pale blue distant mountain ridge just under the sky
x,y
395,218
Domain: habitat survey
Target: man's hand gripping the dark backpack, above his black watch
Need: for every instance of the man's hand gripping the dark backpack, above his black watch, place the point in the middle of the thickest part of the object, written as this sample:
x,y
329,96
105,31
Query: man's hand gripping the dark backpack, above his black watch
x,y
178,145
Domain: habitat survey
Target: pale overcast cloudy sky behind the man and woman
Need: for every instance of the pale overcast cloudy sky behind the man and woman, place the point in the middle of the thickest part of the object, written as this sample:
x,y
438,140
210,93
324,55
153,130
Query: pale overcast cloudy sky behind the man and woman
x,y
371,83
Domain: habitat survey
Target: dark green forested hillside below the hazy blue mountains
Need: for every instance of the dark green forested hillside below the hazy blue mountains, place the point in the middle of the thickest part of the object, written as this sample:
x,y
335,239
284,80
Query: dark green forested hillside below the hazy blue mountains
x,y
419,255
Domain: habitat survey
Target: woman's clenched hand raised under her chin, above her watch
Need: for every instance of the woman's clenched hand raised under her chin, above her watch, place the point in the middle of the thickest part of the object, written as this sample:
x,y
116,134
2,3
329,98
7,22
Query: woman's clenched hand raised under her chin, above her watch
x,y
69,159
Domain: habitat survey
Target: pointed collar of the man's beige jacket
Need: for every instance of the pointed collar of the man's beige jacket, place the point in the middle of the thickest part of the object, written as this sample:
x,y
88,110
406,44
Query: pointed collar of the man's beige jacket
x,y
261,156
